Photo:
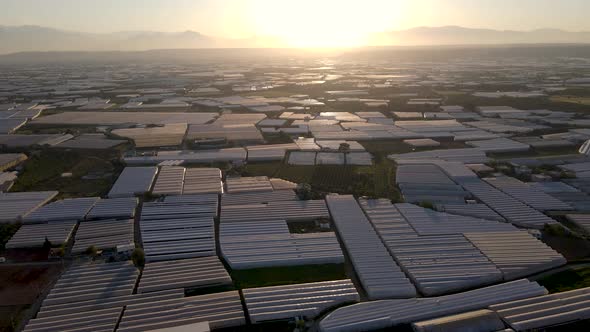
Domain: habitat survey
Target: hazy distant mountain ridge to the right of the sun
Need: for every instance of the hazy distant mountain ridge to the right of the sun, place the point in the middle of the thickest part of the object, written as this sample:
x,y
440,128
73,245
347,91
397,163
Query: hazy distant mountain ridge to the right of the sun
x,y
454,35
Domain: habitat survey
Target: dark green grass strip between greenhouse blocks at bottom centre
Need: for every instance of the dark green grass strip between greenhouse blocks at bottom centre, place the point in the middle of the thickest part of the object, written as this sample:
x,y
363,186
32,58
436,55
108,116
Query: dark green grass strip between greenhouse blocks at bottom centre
x,y
287,275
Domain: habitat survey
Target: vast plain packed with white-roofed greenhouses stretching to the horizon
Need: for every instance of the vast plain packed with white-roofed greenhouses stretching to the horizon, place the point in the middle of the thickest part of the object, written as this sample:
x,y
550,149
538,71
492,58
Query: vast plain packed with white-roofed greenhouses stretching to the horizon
x,y
276,172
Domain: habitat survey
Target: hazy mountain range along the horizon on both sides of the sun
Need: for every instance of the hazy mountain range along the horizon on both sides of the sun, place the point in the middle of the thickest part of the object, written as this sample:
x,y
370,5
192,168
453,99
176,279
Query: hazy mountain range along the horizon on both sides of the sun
x,y
42,39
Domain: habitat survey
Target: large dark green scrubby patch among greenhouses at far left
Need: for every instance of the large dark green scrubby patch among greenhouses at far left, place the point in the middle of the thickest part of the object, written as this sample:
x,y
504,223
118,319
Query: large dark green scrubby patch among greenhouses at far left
x,y
93,172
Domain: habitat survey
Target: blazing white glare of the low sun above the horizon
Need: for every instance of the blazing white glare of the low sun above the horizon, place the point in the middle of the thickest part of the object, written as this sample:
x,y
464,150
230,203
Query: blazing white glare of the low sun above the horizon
x,y
321,23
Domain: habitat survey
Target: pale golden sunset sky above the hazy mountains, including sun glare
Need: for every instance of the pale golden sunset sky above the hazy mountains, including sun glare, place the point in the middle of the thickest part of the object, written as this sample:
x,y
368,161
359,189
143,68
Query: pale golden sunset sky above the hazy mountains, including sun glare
x,y
321,22
